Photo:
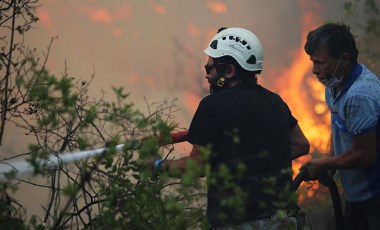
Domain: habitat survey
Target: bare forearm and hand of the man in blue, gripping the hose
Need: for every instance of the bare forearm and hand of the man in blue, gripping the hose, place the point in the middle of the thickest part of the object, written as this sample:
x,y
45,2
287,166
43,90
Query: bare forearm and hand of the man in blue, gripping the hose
x,y
361,156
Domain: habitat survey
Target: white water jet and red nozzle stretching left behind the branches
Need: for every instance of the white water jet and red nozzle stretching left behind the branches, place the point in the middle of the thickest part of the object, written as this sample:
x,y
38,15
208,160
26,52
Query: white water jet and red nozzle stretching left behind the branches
x,y
23,167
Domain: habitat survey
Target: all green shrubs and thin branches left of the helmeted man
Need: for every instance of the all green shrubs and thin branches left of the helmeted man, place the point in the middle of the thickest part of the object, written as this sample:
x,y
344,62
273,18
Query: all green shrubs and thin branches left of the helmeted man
x,y
113,190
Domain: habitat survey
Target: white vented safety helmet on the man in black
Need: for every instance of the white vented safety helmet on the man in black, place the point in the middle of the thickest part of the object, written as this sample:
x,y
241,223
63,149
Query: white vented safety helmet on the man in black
x,y
239,43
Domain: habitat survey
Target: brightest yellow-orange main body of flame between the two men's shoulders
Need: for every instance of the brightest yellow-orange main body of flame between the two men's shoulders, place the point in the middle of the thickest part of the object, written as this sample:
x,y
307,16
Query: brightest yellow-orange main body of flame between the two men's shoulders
x,y
304,95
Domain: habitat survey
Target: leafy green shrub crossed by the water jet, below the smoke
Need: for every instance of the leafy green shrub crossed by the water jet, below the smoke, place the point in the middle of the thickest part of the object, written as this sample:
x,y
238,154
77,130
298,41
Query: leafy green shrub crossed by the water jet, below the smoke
x,y
113,190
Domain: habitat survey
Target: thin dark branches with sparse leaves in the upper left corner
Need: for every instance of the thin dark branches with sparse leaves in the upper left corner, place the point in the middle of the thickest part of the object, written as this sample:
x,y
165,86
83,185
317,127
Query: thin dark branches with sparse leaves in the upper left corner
x,y
16,18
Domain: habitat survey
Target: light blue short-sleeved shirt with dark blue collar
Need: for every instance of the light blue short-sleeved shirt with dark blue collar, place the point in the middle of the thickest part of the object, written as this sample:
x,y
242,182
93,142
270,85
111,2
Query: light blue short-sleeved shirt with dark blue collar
x,y
355,110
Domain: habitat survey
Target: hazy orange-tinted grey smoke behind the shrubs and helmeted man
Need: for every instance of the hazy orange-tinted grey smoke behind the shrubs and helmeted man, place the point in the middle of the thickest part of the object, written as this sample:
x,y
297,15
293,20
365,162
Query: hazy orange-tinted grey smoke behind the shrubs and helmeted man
x,y
155,50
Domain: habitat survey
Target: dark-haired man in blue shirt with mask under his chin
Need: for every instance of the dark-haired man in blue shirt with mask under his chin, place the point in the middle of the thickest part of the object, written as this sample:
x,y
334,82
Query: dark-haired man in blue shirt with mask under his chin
x,y
353,97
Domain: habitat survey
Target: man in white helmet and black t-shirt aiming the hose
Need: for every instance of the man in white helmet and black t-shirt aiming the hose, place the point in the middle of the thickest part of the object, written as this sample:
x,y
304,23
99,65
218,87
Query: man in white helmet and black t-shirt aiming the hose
x,y
251,134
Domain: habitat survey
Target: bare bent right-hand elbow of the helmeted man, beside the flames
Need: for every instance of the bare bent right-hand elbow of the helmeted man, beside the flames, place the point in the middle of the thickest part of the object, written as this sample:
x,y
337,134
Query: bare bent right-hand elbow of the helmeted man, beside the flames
x,y
299,145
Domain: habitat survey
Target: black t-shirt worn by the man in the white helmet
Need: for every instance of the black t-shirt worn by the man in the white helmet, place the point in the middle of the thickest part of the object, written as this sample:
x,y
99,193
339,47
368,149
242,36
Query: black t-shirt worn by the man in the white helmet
x,y
248,129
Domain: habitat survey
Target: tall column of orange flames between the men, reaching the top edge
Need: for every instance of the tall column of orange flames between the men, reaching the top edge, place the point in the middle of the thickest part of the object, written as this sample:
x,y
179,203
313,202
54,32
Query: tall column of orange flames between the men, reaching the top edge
x,y
305,97
